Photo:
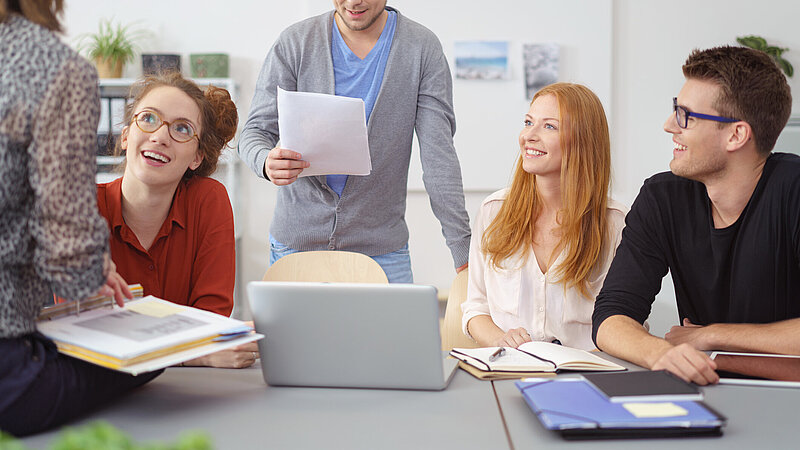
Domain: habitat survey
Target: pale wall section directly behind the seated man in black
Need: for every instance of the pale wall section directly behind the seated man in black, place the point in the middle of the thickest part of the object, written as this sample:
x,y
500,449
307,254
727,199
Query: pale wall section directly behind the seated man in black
x,y
651,42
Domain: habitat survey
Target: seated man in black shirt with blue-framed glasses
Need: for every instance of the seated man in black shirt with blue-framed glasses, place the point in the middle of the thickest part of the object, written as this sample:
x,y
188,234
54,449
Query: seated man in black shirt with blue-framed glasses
x,y
725,222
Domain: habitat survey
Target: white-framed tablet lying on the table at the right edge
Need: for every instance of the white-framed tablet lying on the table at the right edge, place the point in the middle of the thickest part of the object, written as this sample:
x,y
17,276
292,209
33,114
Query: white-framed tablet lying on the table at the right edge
x,y
758,369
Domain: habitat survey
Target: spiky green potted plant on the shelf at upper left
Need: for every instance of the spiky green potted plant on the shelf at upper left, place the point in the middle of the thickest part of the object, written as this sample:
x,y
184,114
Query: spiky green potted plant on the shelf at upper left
x,y
110,48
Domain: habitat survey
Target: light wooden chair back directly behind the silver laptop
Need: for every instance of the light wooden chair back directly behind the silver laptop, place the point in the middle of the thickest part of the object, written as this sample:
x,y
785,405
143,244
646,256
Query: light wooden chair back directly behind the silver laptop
x,y
326,266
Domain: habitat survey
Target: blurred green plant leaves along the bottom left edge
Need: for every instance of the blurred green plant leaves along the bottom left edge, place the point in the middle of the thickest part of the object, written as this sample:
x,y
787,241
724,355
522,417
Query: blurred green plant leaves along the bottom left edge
x,y
104,436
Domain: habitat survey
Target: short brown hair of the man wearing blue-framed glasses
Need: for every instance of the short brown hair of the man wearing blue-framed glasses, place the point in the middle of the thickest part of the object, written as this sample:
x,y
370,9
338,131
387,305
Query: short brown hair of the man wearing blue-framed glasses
x,y
752,89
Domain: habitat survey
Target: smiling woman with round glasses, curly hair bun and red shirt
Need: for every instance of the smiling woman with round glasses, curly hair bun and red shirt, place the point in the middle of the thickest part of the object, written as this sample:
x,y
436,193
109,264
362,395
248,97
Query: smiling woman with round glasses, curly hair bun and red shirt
x,y
171,225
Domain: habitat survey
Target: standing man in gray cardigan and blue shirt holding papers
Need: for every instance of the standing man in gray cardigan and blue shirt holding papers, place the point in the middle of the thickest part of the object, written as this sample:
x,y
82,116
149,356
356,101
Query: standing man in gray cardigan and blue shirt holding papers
x,y
361,49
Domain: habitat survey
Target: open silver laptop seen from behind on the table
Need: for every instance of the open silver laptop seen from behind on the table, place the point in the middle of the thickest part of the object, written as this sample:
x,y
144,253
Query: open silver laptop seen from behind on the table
x,y
349,335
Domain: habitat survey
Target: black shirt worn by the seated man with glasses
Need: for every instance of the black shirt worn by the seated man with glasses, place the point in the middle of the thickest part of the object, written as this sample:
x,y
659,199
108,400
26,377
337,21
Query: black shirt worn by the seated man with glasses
x,y
748,272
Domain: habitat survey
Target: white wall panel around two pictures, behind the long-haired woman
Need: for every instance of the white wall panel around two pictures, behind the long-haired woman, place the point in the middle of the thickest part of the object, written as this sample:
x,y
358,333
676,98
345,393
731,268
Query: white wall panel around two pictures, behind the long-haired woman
x,y
489,112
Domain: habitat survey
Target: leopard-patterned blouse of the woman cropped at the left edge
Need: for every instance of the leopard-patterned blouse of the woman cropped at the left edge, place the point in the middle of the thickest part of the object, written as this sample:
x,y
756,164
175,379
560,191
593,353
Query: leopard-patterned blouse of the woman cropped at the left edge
x,y
52,238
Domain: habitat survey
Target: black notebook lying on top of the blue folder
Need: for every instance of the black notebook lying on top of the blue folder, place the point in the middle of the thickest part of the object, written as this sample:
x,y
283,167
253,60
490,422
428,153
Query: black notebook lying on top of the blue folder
x,y
643,386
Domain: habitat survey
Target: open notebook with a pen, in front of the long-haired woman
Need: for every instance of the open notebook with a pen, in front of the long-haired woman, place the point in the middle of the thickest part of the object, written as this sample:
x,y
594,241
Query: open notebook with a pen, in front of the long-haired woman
x,y
529,358
